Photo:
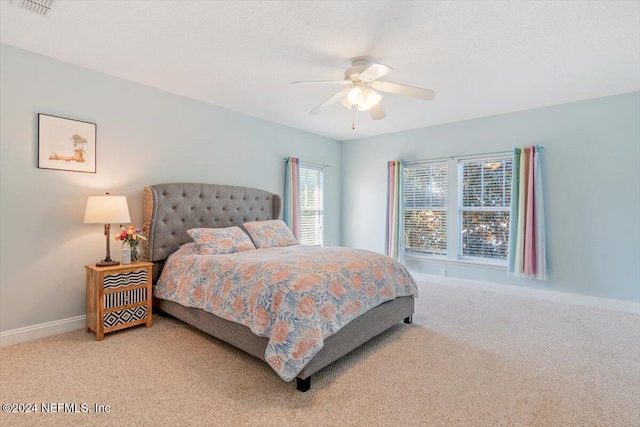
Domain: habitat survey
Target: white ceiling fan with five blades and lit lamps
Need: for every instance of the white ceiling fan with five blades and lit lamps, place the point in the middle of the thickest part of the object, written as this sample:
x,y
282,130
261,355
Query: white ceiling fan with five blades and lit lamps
x,y
361,81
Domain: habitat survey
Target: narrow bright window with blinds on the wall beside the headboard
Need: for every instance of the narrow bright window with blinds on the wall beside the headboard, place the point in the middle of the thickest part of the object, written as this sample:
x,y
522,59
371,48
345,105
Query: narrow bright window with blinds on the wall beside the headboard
x,y
311,204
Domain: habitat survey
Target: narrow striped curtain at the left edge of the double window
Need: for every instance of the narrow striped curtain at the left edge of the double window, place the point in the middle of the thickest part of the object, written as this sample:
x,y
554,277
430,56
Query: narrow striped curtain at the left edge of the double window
x,y
394,222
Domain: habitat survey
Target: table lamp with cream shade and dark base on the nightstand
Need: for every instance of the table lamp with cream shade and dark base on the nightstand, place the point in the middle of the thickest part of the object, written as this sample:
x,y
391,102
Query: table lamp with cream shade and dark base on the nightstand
x,y
107,210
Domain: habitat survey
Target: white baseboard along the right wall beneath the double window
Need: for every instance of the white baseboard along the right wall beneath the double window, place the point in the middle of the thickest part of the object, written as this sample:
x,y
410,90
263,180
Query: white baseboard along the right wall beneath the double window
x,y
544,294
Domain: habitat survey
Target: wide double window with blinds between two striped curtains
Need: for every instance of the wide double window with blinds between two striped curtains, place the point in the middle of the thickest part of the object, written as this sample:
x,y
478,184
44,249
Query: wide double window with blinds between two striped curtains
x,y
479,195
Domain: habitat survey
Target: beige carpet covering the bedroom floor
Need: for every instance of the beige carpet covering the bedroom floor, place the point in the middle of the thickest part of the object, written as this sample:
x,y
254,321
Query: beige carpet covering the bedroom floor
x,y
470,358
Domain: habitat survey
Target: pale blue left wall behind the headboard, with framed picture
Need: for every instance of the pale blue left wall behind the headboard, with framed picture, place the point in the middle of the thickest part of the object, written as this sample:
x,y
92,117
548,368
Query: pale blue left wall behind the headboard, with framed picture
x,y
145,136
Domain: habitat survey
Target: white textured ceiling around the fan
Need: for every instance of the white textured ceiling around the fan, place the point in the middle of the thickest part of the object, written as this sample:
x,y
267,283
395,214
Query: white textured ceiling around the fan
x,y
480,57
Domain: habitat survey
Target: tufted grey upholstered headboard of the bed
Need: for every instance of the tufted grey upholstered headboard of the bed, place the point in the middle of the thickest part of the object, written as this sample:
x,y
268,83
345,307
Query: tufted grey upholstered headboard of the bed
x,y
169,210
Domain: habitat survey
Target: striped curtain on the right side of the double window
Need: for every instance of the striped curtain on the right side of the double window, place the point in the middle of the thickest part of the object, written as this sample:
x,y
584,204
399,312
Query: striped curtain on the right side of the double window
x,y
527,253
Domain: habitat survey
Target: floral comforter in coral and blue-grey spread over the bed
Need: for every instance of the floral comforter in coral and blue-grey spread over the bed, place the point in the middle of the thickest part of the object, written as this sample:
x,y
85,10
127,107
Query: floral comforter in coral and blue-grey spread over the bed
x,y
296,295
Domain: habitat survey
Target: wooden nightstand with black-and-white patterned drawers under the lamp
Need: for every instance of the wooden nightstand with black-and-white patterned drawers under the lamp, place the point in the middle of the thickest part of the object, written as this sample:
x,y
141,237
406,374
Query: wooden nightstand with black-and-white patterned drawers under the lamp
x,y
118,297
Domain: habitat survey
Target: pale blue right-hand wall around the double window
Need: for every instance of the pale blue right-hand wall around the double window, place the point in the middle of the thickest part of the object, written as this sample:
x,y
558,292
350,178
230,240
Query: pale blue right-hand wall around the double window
x,y
591,166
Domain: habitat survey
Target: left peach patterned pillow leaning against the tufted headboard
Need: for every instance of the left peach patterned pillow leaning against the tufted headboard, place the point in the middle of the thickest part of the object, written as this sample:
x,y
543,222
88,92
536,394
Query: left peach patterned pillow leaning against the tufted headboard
x,y
215,241
